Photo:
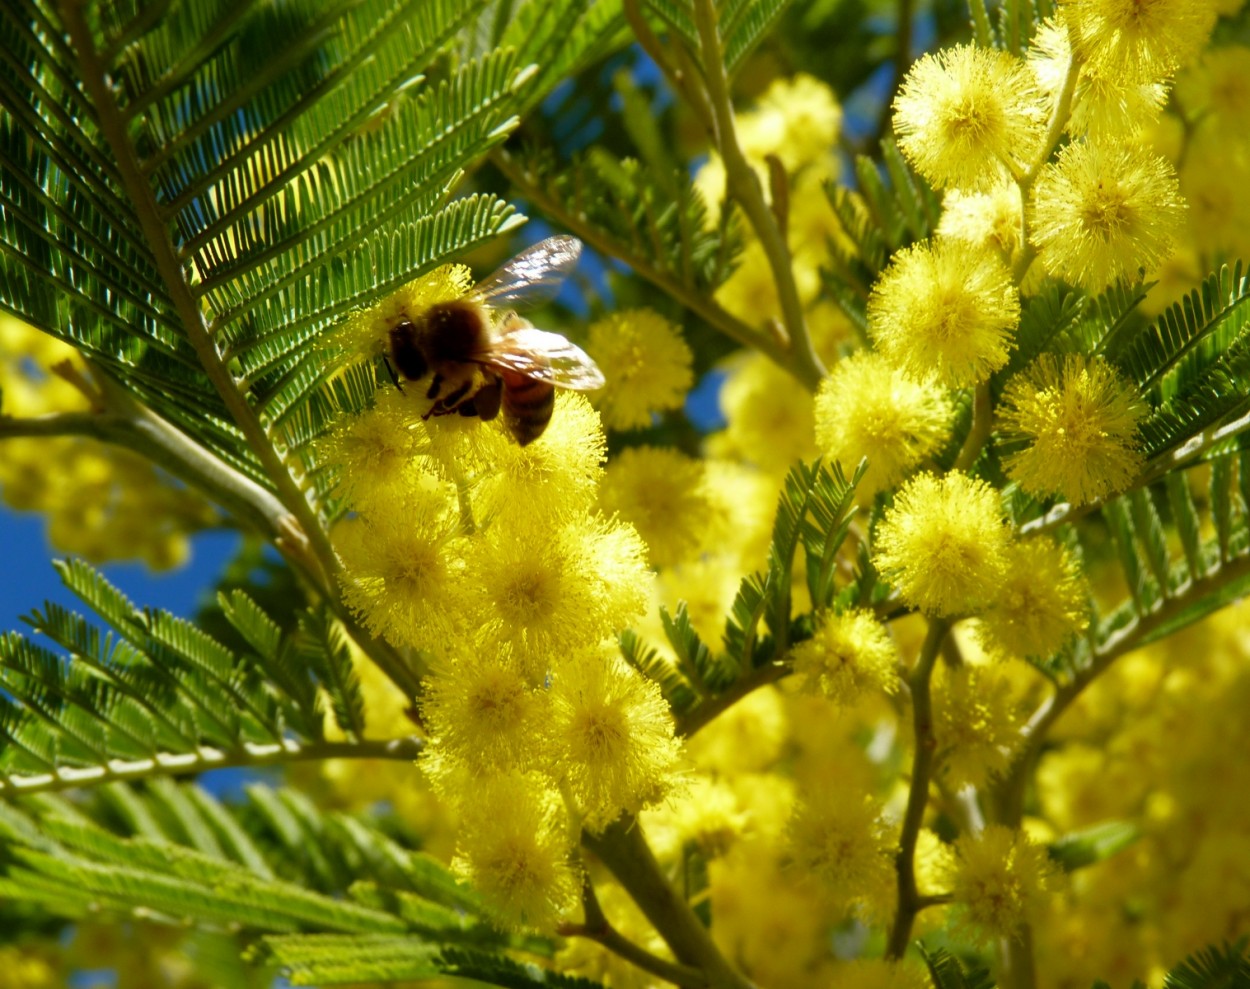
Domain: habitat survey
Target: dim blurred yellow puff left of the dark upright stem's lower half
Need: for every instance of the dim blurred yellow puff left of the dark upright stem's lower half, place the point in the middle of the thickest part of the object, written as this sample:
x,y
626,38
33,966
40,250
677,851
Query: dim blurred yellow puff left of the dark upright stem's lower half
x,y
847,847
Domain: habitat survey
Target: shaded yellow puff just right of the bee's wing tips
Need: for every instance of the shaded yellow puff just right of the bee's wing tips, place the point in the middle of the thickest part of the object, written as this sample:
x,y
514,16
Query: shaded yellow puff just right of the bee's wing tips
x,y
647,363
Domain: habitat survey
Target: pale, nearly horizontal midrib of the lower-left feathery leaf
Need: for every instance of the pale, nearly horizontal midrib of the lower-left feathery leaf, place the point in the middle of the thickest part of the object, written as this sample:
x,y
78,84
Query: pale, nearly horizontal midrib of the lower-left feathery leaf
x,y
206,758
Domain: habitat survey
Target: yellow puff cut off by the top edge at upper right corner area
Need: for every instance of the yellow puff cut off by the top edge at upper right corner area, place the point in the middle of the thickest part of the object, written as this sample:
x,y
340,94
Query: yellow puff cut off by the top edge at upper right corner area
x,y
1139,41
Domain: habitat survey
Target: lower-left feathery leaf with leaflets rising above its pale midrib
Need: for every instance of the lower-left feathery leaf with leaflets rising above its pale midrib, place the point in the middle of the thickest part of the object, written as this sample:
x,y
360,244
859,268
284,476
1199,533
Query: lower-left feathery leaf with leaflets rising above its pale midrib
x,y
164,697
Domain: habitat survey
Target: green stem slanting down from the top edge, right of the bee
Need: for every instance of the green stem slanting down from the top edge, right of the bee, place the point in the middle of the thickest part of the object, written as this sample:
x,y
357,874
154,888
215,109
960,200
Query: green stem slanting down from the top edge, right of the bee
x,y
746,187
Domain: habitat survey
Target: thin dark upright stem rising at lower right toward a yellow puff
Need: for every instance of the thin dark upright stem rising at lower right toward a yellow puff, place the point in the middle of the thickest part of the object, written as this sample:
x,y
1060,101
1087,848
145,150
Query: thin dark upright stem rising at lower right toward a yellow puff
x,y
918,792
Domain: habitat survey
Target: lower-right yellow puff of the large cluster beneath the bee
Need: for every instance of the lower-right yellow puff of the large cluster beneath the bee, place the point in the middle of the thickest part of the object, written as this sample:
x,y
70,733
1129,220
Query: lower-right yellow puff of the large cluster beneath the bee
x,y
614,736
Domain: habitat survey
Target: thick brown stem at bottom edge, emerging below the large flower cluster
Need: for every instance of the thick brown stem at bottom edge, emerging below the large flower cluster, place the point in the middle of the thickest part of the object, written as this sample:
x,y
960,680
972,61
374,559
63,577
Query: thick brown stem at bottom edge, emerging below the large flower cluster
x,y
624,851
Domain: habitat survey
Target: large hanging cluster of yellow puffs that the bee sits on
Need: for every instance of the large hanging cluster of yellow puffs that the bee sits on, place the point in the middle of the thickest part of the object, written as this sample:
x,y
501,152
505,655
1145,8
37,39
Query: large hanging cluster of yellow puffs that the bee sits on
x,y
494,561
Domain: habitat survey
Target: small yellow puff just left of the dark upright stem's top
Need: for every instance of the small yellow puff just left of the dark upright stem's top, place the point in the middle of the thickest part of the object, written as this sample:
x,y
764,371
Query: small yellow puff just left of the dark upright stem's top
x,y
851,655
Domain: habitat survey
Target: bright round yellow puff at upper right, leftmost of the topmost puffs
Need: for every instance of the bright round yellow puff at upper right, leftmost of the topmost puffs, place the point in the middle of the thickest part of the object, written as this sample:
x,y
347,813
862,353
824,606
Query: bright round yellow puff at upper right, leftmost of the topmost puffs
x,y
969,117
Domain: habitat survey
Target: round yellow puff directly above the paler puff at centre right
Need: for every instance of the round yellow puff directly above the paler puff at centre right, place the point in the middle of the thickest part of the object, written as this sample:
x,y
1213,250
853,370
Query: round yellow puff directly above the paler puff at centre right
x,y
947,311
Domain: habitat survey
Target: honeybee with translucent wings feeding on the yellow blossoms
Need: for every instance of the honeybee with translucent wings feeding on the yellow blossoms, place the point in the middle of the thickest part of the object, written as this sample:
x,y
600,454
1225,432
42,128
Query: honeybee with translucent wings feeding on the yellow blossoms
x,y
479,362
